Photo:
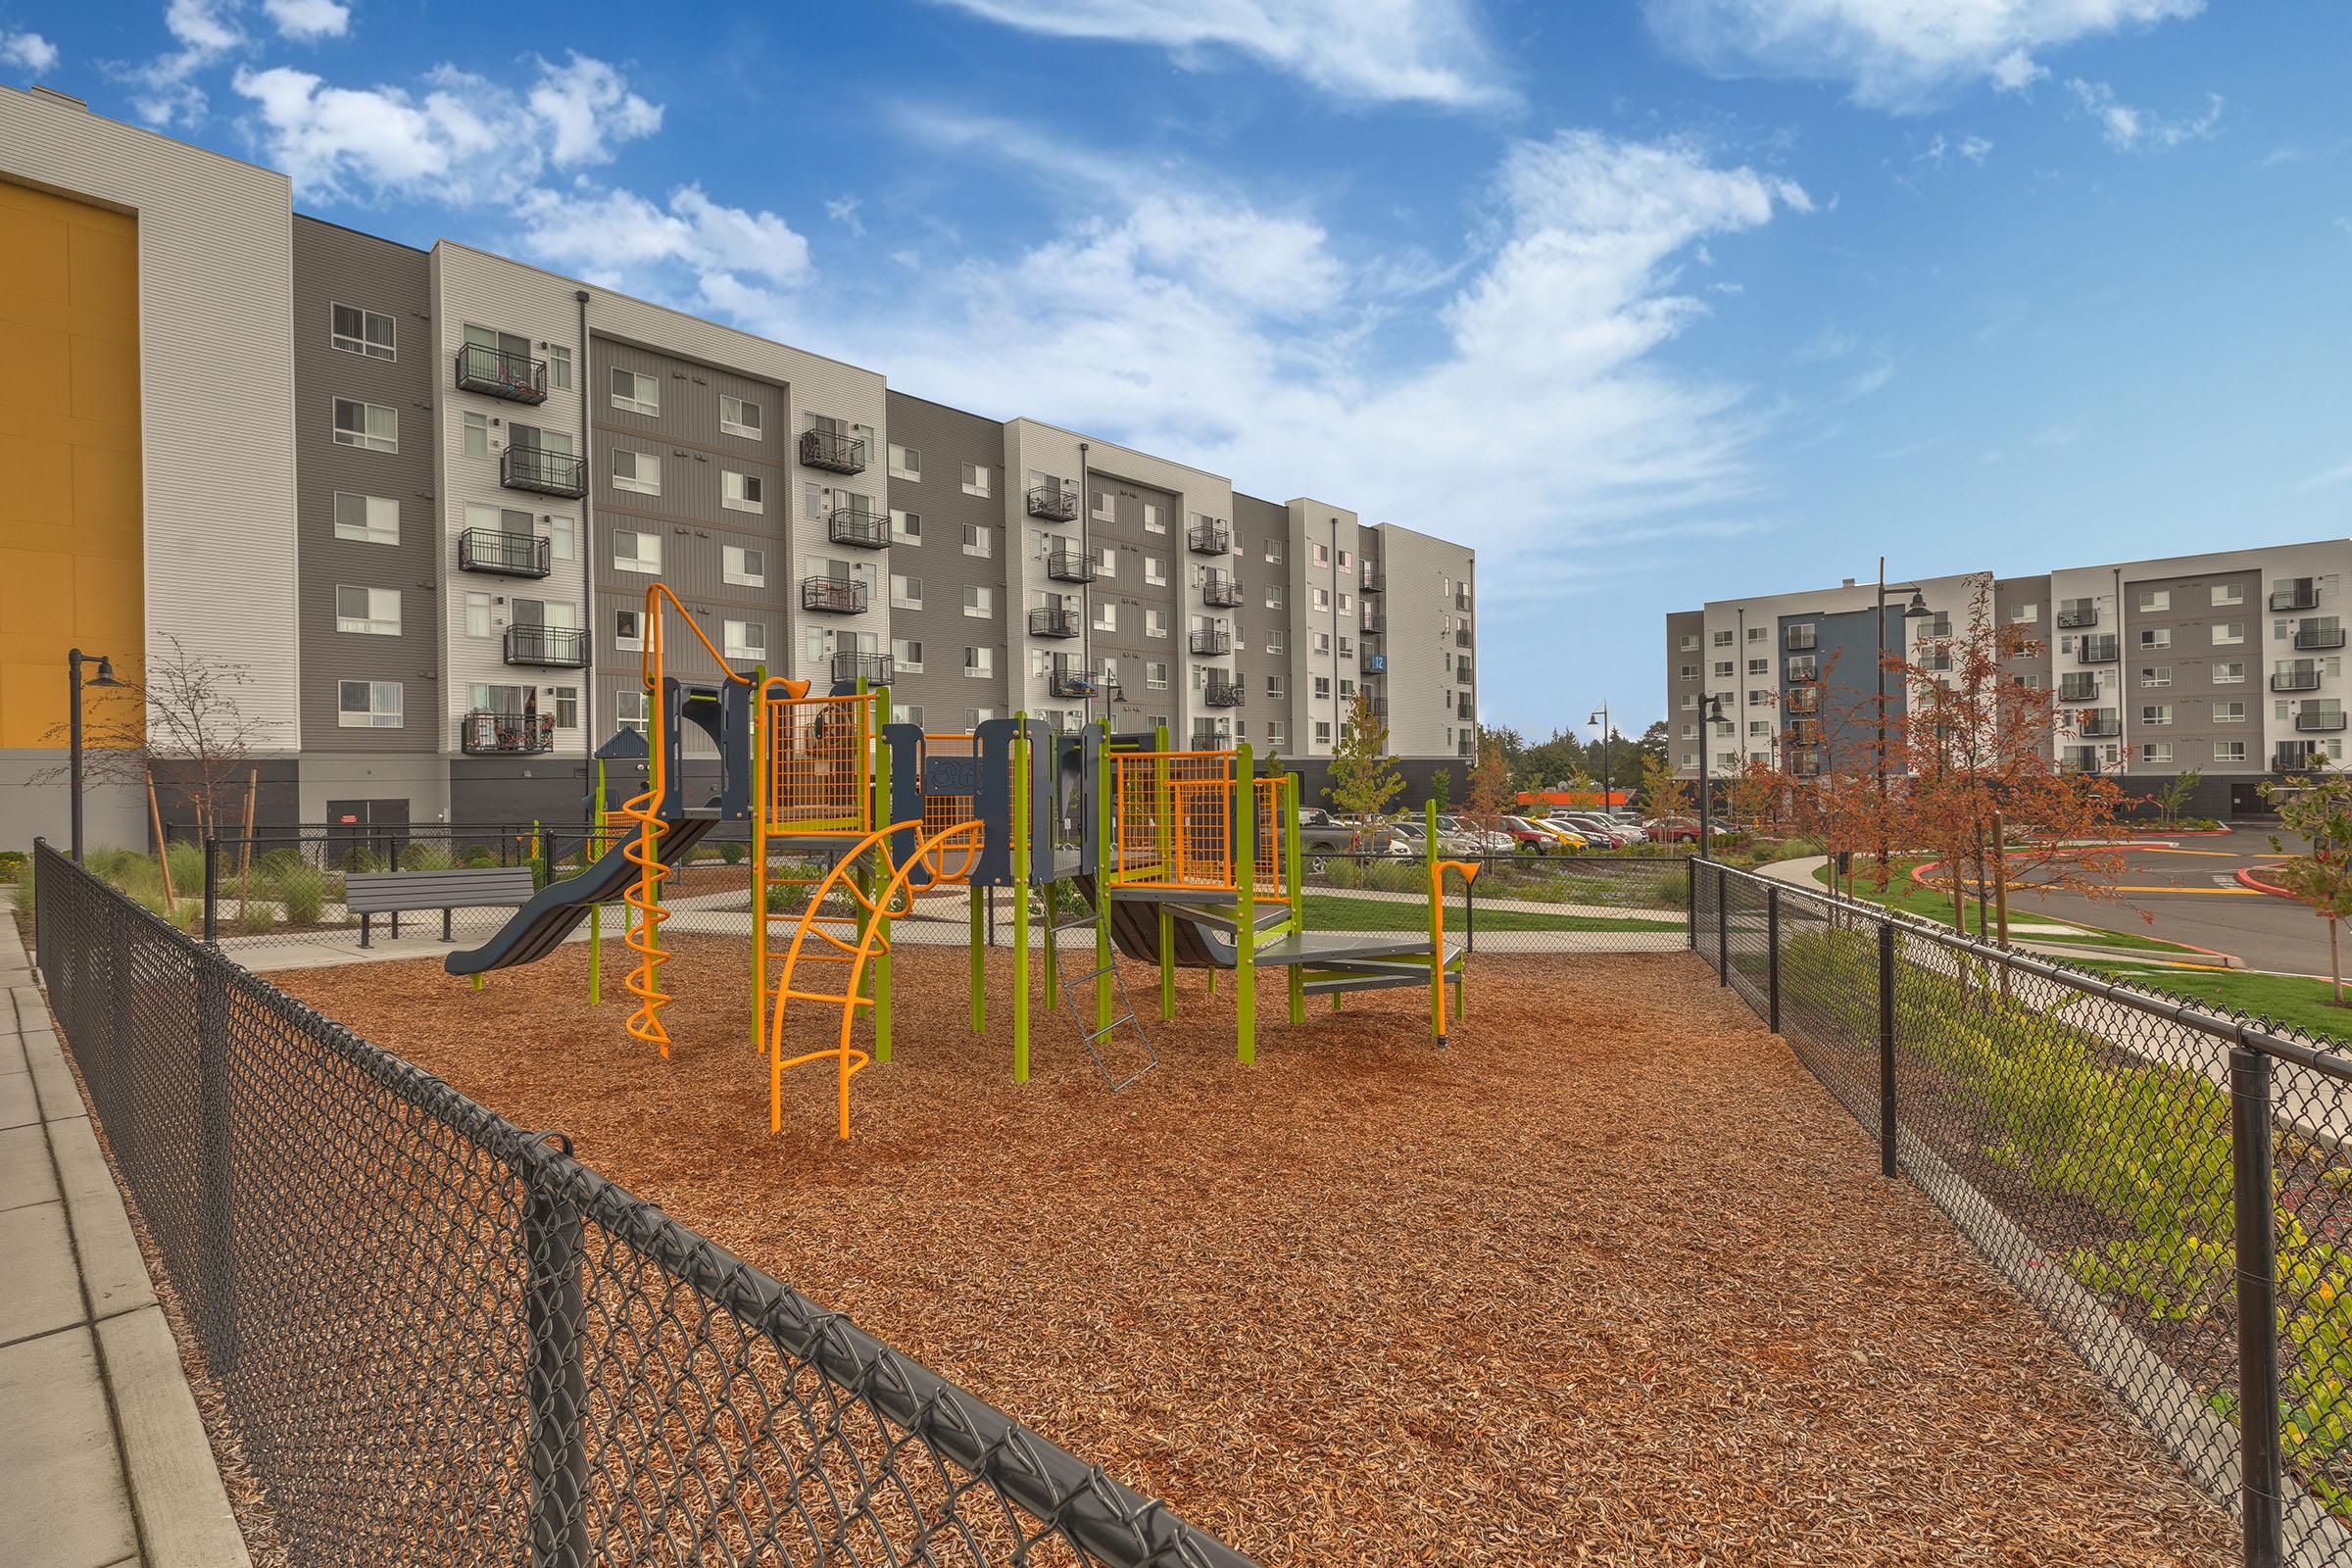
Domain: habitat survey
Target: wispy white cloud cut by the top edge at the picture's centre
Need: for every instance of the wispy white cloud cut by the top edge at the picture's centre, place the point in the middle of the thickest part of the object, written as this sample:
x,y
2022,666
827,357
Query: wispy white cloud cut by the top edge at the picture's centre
x,y
1365,51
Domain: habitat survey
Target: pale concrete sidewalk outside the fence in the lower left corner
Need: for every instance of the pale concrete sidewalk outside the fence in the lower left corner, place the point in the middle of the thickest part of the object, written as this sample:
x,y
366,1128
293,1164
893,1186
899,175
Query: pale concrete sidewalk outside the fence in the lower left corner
x,y
100,1442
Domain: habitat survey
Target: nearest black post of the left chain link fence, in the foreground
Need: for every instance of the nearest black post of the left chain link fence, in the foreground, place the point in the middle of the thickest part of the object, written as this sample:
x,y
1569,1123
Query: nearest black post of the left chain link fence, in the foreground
x,y
559,1386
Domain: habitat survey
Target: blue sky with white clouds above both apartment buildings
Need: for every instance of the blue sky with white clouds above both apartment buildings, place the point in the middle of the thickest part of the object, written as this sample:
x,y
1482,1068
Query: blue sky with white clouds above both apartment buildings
x,y
1652,302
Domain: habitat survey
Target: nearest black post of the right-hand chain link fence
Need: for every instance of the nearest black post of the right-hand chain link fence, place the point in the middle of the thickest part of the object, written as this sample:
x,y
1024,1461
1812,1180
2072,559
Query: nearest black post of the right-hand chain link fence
x,y
2257,1245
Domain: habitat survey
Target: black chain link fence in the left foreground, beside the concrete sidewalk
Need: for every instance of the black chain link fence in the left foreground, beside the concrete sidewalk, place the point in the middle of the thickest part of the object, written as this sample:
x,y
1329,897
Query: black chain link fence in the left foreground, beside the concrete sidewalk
x,y
446,1341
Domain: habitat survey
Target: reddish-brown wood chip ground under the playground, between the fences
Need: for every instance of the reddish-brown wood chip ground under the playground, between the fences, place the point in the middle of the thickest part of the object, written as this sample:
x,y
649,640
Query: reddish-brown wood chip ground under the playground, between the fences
x,y
1612,1280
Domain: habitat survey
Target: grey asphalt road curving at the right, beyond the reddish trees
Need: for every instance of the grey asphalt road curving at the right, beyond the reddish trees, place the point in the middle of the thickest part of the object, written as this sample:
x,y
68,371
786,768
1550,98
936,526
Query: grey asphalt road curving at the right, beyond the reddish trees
x,y
2193,897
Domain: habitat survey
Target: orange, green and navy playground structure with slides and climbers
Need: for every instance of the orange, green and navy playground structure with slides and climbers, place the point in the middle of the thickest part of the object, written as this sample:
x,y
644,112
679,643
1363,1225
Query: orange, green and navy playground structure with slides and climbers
x,y
1142,852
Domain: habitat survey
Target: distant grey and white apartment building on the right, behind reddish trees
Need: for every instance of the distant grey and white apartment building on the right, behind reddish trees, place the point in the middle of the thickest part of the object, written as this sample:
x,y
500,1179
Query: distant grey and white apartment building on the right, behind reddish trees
x,y
2224,664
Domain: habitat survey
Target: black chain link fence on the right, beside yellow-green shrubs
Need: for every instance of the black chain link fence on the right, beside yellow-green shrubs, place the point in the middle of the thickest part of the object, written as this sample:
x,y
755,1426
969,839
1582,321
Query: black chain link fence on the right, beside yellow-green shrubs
x,y
2172,1188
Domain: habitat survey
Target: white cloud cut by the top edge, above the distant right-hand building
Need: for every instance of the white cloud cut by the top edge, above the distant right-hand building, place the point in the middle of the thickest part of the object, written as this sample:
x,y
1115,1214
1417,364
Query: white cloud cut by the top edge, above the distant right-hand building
x,y
1897,55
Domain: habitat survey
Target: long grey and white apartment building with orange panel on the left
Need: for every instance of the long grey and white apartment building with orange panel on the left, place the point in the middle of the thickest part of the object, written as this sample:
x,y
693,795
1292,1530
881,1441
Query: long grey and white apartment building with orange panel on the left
x,y
457,476
